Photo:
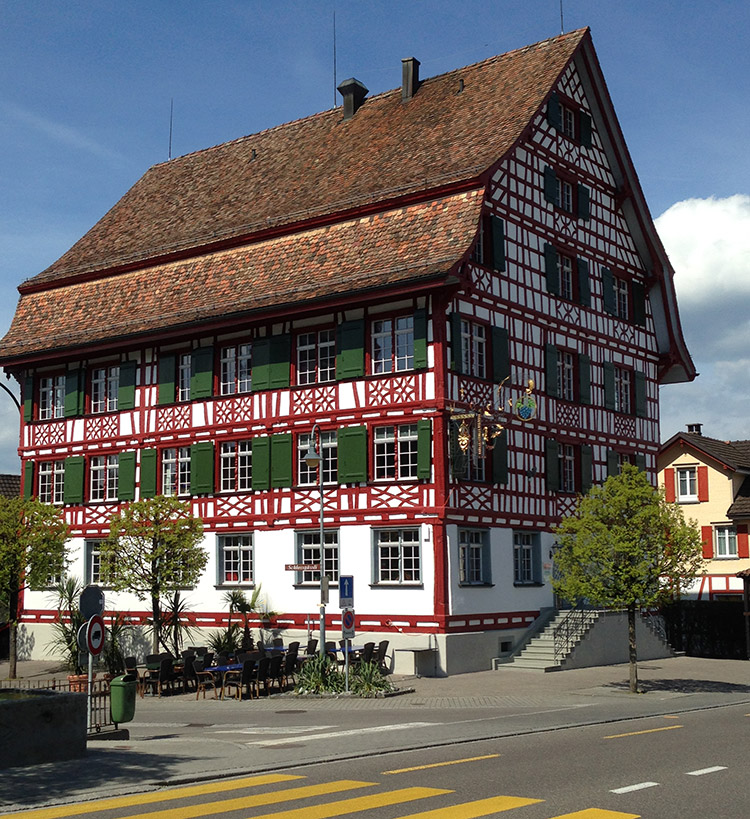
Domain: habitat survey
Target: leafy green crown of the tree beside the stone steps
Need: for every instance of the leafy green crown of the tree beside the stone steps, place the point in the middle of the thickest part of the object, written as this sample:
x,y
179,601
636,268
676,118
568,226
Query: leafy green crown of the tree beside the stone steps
x,y
625,546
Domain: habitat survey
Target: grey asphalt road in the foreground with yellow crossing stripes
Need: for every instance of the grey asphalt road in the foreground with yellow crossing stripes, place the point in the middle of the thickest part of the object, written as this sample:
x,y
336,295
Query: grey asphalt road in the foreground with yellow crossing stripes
x,y
685,765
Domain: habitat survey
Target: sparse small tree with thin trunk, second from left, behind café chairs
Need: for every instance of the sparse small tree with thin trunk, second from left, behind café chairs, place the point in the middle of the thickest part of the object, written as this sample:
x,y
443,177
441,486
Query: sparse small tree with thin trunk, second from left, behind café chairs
x,y
154,547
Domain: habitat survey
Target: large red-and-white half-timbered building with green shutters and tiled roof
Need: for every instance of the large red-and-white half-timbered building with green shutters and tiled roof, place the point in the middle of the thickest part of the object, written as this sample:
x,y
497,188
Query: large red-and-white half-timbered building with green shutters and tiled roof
x,y
395,271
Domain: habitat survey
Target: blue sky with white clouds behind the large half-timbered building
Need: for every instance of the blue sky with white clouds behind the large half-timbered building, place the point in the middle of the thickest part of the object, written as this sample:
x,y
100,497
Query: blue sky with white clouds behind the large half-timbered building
x,y
85,91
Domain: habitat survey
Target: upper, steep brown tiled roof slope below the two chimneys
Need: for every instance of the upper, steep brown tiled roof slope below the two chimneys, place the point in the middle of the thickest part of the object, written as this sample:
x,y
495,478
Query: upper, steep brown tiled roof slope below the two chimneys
x,y
454,129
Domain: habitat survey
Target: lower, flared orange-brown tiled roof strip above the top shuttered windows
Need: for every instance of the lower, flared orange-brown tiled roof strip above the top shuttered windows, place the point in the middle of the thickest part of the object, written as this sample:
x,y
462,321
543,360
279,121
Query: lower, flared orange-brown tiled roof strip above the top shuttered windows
x,y
409,245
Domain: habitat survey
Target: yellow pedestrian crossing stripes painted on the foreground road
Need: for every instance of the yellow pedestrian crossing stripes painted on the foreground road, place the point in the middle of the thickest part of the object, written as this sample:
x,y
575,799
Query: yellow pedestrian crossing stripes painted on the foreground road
x,y
308,795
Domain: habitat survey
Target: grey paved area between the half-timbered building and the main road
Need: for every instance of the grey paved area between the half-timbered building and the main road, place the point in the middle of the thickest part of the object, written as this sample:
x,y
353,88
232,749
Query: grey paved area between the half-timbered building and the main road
x,y
177,739
